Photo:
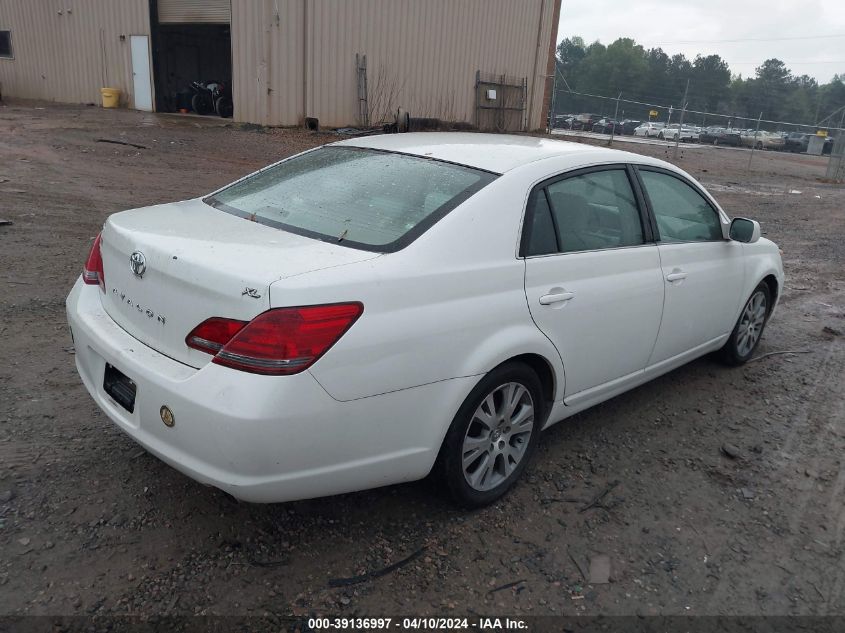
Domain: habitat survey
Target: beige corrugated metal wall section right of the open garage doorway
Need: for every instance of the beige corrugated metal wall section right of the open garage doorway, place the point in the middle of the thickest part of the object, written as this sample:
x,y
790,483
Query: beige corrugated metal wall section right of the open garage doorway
x,y
296,58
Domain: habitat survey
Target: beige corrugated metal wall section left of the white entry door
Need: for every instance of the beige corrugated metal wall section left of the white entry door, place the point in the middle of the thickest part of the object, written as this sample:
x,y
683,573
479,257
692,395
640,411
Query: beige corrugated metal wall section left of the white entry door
x,y
66,50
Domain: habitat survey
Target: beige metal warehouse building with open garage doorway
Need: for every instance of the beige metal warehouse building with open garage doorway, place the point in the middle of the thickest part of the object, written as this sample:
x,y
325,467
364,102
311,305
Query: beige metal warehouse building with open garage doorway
x,y
327,62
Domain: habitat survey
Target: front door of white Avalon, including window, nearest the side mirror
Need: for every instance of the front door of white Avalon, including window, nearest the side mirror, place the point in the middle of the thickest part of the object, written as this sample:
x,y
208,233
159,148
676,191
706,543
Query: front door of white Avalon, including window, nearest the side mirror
x,y
703,272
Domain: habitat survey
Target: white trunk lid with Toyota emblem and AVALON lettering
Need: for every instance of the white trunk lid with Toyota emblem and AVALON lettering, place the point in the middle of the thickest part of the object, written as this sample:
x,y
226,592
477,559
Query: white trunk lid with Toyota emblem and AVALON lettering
x,y
170,267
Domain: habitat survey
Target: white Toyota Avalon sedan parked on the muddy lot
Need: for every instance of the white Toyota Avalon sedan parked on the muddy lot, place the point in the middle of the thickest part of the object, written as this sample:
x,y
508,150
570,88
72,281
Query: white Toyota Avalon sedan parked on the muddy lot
x,y
373,310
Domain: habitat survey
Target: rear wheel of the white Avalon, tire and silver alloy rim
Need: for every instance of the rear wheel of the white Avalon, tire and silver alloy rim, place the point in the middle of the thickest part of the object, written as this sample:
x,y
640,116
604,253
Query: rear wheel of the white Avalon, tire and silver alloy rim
x,y
486,428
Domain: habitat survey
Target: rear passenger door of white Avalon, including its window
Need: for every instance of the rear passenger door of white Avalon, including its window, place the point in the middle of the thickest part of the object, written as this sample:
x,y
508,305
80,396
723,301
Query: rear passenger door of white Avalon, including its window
x,y
592,275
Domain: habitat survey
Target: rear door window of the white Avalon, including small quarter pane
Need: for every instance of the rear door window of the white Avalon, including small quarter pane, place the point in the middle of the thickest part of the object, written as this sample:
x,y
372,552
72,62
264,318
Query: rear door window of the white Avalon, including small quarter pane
x,y
587,212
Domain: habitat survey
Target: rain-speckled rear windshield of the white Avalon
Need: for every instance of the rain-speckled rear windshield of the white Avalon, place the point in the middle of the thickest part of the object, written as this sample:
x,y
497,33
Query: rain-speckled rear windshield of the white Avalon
x,y
363,198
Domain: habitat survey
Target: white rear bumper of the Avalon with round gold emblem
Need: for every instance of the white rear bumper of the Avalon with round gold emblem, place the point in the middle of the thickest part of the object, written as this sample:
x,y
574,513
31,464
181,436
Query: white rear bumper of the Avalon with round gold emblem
x,y
260,438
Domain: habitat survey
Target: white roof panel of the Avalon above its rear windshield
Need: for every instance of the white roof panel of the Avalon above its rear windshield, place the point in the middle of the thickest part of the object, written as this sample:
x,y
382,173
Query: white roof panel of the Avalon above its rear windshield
x,y
497,153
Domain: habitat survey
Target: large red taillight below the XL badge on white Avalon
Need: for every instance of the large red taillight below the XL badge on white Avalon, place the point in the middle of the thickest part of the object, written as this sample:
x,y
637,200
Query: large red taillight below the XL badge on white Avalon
x,y
278,342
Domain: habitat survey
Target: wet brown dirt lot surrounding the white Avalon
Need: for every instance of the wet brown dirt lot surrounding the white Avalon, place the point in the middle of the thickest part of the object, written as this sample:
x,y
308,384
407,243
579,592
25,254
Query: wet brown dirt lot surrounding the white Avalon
x,y
92,524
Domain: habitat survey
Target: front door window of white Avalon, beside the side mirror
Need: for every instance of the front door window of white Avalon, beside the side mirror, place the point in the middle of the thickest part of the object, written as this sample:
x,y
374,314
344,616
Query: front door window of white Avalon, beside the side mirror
x,y
682,214
